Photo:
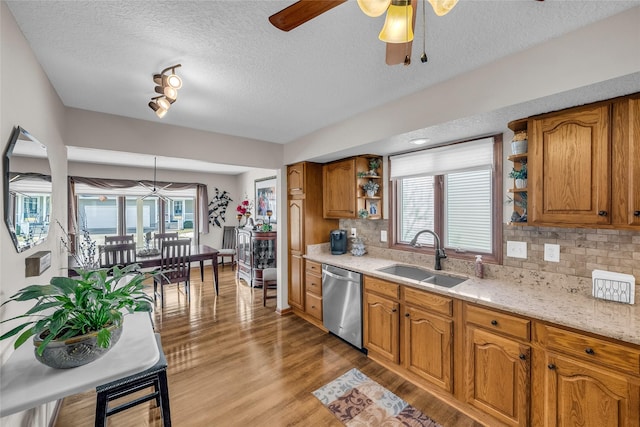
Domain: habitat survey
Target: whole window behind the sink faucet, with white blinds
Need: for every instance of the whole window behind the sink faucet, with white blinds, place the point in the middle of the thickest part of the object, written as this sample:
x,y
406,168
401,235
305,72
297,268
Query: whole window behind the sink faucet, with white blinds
x,y
453,190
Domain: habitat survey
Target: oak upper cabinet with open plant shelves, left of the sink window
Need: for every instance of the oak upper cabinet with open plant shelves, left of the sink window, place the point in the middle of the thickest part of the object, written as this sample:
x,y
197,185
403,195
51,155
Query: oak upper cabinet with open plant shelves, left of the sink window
x,y
343,194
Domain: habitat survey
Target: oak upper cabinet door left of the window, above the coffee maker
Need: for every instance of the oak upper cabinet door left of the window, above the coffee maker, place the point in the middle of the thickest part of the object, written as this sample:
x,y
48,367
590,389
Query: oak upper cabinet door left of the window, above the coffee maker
x,y
339,189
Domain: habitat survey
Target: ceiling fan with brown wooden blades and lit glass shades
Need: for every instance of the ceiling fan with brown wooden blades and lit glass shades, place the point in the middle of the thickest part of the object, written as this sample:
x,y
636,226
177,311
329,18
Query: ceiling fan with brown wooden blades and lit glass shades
x,y
397,51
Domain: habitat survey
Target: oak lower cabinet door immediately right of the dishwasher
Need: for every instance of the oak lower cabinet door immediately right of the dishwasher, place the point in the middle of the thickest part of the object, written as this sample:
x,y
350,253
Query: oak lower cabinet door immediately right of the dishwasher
x,y
382,327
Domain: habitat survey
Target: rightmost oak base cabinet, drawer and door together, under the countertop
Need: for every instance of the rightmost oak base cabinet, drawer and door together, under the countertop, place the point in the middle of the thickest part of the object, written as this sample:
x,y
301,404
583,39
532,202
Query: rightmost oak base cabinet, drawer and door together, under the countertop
x,y
586,381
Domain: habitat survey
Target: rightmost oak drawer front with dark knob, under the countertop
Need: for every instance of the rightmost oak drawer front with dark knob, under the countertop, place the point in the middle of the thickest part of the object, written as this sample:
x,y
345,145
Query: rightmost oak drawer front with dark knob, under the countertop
x,y
605,353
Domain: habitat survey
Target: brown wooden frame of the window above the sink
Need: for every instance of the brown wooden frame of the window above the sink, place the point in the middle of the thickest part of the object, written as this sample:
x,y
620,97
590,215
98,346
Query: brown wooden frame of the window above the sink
x,y
495,257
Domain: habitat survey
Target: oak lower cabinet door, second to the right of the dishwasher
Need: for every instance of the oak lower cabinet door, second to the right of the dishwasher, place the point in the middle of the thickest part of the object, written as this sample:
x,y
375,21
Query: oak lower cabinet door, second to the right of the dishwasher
x,y
428,346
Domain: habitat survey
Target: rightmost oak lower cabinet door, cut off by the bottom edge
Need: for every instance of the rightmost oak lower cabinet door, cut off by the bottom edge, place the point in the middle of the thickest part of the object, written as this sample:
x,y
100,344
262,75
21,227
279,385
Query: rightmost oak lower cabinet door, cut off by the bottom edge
x,y
579,394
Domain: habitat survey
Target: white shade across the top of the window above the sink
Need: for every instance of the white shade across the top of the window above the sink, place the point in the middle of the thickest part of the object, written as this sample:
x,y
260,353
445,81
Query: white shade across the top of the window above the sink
x,y
443,160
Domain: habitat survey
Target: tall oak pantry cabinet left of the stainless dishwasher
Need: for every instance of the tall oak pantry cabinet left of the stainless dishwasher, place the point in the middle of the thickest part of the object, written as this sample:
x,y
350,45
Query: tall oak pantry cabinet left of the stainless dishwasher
x,y
306,226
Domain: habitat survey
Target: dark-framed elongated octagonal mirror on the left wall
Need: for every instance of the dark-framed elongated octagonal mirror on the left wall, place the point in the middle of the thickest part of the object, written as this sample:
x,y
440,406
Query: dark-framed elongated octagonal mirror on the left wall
x,y
27,190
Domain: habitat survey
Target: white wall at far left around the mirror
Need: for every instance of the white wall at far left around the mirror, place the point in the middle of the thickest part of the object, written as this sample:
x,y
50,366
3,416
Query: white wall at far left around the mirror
x,y
28,100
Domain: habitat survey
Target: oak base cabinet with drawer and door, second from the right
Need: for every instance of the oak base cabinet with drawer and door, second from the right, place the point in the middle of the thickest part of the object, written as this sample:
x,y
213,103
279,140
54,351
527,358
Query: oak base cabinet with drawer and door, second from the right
x,y
498,364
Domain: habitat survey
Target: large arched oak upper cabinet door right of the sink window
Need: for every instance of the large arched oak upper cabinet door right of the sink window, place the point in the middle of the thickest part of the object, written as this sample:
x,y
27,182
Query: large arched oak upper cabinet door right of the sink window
x,y
569,156
